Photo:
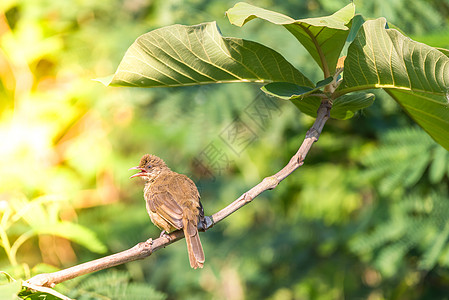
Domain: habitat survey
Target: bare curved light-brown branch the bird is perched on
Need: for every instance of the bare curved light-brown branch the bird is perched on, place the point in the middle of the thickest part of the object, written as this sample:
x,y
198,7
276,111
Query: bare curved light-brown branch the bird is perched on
x,y
145,249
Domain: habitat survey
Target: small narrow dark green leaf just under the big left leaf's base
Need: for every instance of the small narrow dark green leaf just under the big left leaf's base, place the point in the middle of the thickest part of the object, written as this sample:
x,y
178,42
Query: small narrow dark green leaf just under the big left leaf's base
x,y
290,91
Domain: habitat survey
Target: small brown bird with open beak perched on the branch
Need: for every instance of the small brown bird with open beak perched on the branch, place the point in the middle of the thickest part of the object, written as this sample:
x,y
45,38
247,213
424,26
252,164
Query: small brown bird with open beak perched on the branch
x,y
173,202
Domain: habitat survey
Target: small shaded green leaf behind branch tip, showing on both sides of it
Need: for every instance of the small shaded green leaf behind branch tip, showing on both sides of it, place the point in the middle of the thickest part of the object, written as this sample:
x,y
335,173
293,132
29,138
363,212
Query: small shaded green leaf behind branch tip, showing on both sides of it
x,y
343,107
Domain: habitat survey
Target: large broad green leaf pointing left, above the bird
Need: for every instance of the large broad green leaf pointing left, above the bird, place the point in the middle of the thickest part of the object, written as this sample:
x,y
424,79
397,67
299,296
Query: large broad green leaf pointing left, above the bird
x,y
180,55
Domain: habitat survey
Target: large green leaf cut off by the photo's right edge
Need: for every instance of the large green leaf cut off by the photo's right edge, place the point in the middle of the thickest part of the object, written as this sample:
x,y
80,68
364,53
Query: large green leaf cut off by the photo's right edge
x,y
414,74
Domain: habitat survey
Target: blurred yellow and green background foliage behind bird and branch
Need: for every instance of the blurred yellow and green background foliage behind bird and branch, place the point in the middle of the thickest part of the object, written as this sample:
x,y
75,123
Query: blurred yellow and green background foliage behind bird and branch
x,y
365,217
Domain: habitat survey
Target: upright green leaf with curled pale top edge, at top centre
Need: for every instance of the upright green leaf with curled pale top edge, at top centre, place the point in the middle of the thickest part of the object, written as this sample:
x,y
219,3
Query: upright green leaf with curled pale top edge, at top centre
x,y
323,37
